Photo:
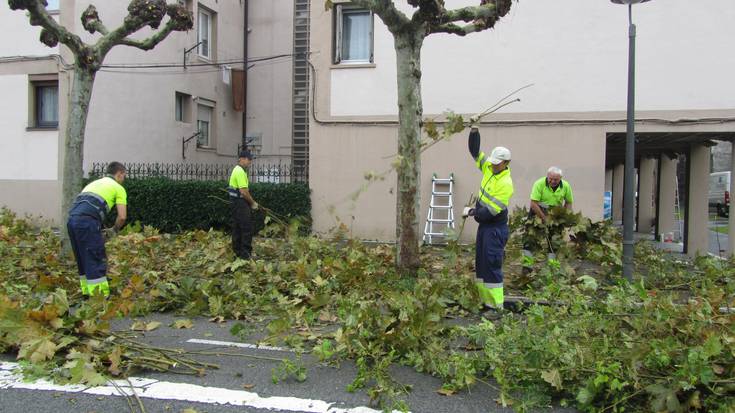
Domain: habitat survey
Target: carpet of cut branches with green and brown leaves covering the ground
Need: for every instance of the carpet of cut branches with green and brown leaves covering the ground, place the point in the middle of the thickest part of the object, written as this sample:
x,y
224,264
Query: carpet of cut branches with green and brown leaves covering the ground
x,y
603,345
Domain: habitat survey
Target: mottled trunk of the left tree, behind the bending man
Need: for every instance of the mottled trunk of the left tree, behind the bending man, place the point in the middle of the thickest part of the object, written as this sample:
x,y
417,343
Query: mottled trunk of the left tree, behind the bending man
x,y
72,171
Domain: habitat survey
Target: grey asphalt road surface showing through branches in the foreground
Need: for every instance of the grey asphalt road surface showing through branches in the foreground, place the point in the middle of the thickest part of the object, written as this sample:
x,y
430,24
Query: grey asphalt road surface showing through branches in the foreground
x,y
323,384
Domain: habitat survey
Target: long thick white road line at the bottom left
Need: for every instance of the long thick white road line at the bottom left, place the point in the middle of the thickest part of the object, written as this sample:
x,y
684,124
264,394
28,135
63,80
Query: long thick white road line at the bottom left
x,y
162,390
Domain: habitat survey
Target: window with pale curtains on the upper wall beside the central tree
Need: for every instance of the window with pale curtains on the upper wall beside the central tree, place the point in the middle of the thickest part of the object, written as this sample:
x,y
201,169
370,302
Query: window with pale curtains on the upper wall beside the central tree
x,y
353,35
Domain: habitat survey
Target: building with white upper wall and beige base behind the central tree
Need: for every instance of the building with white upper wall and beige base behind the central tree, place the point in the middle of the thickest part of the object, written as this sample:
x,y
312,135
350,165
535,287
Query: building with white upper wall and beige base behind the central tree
x,y
574,53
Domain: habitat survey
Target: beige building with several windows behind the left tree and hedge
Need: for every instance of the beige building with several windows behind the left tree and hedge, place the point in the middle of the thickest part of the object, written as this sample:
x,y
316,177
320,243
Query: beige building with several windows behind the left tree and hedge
x,y
145,105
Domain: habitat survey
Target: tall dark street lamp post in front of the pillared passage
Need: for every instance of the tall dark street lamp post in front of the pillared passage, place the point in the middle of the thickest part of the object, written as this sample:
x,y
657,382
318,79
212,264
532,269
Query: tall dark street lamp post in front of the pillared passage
x,y
629,184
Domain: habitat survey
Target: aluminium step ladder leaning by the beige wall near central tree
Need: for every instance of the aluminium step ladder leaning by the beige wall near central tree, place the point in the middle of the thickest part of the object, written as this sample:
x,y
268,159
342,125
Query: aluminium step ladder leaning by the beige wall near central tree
x,y
440,219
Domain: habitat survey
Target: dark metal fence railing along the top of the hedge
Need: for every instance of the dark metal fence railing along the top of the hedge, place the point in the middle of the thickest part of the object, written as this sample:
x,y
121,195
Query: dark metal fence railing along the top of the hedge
x,y
257,172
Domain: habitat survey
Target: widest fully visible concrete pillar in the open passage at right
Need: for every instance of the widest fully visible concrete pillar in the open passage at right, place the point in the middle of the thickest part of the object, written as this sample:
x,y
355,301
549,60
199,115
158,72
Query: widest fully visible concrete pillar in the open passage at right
x,y
696,238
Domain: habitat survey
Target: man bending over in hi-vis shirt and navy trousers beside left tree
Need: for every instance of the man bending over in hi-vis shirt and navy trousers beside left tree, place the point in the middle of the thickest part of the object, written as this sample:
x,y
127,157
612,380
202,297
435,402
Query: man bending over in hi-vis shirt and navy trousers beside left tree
x,y
85,227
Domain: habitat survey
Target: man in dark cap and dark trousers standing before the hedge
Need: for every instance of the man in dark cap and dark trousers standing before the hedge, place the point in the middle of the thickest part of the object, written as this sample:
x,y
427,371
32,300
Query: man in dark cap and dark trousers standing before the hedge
x,y
242,205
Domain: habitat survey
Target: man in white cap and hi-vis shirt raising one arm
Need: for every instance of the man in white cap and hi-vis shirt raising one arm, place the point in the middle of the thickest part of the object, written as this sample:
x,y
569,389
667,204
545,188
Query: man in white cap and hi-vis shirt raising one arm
x,y
491,212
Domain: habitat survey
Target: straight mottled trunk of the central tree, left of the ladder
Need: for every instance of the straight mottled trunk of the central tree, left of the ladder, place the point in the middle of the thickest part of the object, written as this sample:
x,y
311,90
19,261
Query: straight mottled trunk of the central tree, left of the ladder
x,y
408,52
